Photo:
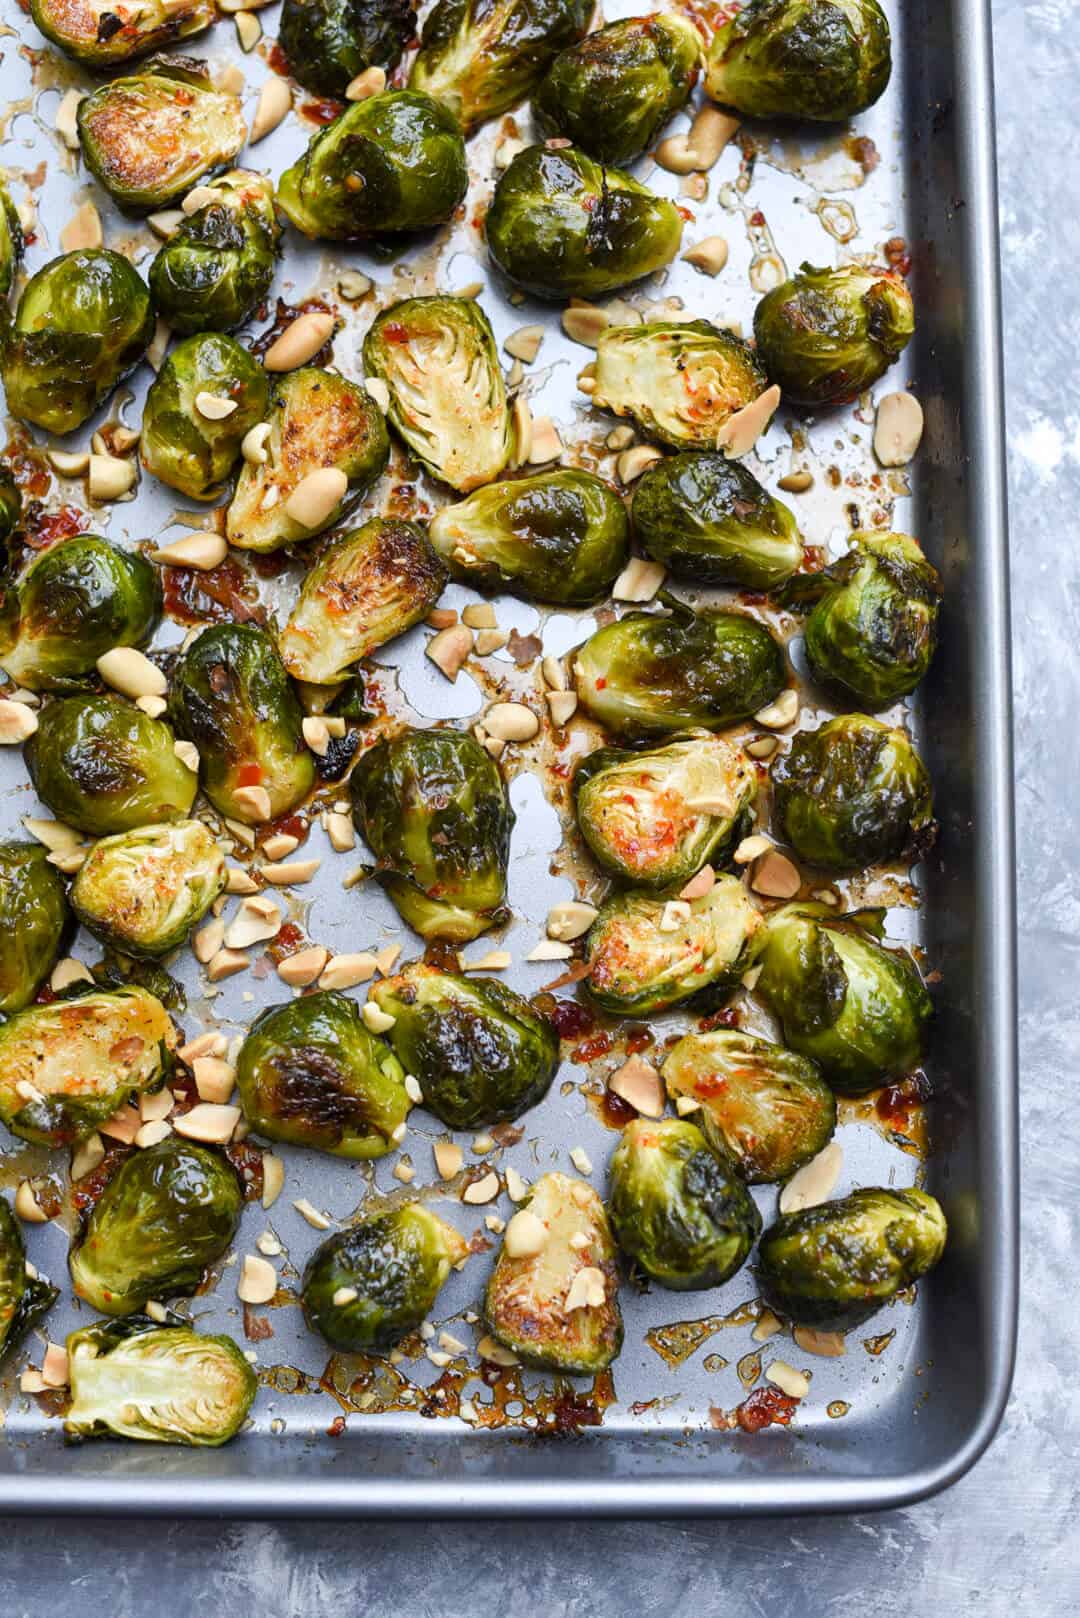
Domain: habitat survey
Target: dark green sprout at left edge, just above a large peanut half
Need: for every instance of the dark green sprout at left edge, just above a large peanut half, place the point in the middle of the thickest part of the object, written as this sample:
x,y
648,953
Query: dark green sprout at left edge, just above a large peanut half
x,y
74,604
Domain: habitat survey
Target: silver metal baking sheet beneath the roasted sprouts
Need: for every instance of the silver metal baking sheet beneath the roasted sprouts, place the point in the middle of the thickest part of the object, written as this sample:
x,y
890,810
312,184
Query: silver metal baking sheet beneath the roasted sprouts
x,y
346,1439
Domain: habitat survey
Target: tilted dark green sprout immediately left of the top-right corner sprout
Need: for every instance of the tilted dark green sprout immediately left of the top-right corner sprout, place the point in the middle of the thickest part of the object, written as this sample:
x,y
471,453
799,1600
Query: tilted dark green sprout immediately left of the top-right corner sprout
x,y
614,91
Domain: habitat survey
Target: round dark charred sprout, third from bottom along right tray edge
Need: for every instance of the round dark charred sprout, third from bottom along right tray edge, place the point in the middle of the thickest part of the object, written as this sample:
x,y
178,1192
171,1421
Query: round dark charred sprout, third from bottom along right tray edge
x,y
853,794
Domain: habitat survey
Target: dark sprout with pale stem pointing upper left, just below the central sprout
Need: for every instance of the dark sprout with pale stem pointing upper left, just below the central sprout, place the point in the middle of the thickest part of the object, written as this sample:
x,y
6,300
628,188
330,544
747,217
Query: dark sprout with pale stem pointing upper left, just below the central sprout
x,y
478,1051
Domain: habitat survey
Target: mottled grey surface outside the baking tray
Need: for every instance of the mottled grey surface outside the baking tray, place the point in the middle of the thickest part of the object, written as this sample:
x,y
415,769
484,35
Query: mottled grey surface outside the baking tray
x,y
1001,1544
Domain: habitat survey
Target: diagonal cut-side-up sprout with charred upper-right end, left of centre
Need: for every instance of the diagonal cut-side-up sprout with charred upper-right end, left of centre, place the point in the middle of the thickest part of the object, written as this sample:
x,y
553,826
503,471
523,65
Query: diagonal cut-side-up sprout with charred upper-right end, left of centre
x,y
365,590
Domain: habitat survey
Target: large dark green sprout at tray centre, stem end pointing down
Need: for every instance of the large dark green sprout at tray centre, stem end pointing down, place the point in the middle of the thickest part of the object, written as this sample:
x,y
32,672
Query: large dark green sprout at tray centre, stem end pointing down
x,y
433,808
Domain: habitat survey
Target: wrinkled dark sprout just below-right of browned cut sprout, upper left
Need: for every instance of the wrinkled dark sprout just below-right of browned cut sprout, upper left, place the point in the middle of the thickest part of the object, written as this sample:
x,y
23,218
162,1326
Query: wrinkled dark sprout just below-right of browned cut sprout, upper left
x,y
219,261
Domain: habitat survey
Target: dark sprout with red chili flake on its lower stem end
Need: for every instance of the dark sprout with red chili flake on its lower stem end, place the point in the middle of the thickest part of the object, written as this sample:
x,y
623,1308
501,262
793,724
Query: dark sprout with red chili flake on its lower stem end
x,y
232,698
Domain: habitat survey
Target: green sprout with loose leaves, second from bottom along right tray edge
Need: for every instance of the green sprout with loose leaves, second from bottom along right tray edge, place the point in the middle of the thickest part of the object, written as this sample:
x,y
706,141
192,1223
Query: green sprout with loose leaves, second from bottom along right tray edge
x,y
857,1009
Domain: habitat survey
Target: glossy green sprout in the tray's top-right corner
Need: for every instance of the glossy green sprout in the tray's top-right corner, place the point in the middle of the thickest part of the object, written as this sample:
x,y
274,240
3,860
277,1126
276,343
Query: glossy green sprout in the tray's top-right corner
x,y
823,61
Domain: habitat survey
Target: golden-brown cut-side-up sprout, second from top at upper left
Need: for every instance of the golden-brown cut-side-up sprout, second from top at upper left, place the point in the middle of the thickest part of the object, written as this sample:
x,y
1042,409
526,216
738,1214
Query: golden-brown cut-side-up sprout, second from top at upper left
x,y
151,137
